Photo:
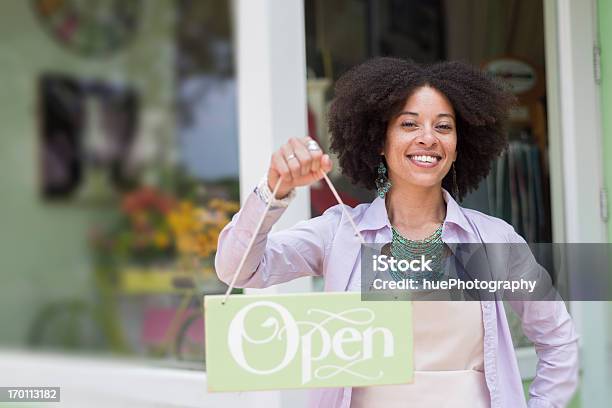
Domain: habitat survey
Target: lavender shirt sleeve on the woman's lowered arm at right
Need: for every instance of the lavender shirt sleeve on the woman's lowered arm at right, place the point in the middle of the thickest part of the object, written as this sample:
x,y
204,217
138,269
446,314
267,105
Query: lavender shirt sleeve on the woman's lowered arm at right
x,y
551,329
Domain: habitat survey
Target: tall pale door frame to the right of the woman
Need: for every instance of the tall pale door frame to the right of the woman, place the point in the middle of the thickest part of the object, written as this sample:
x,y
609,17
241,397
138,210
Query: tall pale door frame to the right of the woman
x,y
576,165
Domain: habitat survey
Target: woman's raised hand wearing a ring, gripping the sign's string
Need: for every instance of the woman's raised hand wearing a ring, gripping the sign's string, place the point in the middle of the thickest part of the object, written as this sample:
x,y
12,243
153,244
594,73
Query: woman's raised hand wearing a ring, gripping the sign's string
x,y
298,162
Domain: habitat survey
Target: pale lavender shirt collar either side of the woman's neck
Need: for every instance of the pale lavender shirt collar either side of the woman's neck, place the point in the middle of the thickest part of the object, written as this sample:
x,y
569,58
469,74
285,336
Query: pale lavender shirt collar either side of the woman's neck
x,y
375,217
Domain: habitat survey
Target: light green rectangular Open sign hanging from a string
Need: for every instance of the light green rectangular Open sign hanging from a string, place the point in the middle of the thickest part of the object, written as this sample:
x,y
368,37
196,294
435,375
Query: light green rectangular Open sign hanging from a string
x,y
256,342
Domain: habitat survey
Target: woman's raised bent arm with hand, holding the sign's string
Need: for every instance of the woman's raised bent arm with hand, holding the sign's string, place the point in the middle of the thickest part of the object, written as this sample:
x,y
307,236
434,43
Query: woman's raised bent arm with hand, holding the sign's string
x,y
285,255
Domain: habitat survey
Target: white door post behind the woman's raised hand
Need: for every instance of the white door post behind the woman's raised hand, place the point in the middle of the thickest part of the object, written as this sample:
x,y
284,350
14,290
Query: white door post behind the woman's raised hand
x,y
270,51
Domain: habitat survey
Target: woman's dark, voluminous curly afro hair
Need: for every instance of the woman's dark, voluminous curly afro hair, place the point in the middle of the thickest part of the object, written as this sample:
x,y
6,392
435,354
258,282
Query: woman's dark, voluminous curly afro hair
x,y
370,94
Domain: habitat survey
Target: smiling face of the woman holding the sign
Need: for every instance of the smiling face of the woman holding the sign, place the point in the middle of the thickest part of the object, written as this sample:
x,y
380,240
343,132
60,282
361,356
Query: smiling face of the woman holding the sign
x,y
421,141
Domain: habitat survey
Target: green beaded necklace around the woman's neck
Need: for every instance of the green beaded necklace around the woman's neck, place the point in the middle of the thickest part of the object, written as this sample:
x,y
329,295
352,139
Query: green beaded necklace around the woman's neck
x,y
431,247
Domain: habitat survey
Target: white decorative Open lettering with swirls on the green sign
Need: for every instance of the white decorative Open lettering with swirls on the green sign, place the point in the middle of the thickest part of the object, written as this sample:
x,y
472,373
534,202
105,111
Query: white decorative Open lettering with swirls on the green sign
x,y
303,343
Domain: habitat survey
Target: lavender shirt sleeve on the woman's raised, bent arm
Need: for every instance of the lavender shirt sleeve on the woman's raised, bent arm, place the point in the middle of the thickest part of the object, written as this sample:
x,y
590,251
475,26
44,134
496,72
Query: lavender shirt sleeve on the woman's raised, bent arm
x,y
275,257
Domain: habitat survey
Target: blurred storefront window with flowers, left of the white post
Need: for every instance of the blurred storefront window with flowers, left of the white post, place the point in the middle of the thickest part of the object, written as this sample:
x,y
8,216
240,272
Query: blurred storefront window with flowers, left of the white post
x,y
120,156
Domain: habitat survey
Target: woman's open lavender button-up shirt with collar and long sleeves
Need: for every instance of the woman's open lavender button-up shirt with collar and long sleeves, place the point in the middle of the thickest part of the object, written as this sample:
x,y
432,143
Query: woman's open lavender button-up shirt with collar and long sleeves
x,y
328,246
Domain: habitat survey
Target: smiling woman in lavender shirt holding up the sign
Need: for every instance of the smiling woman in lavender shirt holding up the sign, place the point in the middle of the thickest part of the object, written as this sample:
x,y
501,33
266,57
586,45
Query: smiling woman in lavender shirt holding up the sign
x,y
413,133
